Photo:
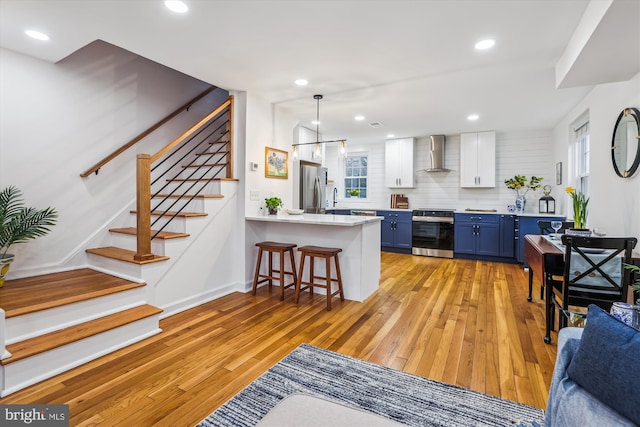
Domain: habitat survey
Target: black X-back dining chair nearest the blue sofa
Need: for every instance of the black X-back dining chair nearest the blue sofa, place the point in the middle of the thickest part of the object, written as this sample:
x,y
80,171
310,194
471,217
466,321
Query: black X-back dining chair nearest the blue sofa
x,y
593,273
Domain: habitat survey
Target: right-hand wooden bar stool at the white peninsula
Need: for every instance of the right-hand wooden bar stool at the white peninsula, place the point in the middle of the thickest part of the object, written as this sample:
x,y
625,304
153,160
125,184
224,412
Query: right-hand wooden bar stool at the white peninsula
x,y
314,252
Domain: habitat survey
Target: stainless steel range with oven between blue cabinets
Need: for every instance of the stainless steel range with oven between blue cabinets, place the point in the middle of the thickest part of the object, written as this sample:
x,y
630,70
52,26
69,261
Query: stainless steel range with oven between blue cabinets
x,y
432,232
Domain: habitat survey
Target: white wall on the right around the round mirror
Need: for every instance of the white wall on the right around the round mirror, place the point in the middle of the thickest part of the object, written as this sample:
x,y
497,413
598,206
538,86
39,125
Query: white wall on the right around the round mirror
x,y
615,202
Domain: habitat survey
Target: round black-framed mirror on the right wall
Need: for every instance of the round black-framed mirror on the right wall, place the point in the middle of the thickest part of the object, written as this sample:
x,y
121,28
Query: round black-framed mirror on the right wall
x,y
625,145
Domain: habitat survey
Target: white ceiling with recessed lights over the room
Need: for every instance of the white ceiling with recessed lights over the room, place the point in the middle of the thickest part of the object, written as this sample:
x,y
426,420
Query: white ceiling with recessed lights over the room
x,y
409,64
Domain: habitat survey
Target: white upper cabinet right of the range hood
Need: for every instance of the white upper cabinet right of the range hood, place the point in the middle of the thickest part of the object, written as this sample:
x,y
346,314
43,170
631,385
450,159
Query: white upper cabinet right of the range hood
x,y
478,159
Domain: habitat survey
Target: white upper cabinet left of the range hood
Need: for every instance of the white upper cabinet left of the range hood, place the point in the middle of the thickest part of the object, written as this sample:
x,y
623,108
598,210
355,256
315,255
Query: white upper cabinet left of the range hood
x,y
398,162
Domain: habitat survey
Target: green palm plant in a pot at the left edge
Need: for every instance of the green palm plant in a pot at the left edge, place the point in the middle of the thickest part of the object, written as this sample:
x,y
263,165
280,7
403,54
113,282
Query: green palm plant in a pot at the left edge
x,y
19,224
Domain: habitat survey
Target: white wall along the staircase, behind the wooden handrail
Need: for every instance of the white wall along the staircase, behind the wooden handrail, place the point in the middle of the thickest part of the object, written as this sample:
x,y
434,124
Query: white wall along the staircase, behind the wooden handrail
x,y
57,120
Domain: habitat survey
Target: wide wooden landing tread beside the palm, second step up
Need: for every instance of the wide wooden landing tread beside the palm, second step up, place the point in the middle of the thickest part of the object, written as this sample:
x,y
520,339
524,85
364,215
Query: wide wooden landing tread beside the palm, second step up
x,y
31,294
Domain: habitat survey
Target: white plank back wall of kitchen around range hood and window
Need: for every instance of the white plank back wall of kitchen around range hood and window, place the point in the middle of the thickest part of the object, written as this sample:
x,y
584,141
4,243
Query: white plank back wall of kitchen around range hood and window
x,y
524,153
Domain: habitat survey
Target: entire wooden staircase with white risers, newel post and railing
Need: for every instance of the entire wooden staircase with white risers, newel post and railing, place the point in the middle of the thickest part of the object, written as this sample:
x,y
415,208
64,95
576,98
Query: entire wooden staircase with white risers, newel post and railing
x,y
54,322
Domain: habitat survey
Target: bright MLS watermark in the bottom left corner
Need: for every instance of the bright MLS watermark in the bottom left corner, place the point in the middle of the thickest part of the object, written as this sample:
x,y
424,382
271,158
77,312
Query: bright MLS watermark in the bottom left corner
x,y
34,415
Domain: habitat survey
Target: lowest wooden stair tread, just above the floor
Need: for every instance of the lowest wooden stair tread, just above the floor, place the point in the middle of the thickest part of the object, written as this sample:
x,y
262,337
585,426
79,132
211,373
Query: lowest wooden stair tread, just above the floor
x,y
42,343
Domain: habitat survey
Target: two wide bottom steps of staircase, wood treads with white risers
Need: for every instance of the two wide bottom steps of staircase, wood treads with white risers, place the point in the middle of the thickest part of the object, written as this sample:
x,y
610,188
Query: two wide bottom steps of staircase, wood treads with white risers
x,y
58,321
